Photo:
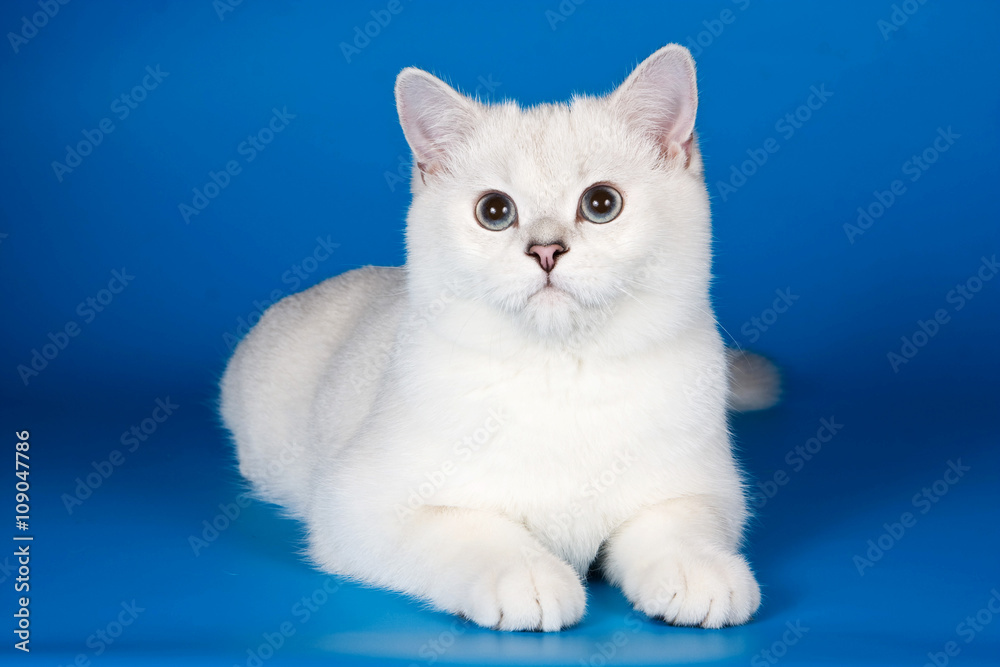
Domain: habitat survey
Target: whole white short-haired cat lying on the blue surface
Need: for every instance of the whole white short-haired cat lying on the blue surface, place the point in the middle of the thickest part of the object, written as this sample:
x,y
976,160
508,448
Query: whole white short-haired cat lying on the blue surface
x,y
542,386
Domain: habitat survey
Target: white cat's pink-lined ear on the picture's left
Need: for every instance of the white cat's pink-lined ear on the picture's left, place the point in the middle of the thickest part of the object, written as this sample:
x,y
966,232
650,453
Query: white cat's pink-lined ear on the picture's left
x,y
434,117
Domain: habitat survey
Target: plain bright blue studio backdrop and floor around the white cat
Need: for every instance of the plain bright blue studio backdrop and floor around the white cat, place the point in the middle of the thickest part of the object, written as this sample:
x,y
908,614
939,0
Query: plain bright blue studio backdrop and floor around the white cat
x,y
331,174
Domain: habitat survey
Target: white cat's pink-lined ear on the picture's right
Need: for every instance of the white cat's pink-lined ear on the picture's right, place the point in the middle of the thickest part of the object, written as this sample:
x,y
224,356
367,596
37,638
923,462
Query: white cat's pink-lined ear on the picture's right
x,y
660,97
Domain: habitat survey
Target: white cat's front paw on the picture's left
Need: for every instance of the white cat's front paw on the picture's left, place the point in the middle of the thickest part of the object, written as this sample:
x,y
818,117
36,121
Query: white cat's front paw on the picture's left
x,y
539,592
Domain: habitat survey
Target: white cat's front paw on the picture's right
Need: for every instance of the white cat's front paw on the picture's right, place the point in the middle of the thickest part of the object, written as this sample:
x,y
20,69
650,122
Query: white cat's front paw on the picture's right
x,y
710,590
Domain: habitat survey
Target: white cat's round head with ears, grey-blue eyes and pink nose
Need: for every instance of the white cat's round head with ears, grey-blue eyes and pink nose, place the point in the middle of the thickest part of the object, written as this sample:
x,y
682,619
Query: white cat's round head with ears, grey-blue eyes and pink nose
x,y
582,217
